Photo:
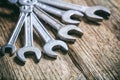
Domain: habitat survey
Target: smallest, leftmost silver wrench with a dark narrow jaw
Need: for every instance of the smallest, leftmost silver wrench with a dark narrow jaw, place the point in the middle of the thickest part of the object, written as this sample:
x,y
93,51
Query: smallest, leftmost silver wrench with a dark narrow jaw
x,y
11,43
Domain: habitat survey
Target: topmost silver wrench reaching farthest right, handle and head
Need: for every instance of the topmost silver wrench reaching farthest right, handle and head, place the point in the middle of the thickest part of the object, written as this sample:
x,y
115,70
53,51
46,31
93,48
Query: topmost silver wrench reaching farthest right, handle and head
x,y
93,13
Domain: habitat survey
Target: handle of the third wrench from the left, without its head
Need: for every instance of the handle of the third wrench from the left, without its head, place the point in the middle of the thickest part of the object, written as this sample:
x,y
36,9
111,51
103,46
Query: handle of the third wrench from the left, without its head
x,y
41,29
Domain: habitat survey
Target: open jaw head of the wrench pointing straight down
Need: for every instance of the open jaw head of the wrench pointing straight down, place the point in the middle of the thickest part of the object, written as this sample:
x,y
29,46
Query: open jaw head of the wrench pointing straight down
x,y
22,51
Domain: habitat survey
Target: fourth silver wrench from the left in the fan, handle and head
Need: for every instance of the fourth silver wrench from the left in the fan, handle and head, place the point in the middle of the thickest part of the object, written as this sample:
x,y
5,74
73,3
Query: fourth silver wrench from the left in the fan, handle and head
x,y
63,30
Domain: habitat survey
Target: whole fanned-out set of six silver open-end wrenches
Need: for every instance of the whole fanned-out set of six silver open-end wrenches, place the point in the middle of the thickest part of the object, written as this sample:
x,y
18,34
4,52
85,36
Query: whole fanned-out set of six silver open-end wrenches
x,y
31,14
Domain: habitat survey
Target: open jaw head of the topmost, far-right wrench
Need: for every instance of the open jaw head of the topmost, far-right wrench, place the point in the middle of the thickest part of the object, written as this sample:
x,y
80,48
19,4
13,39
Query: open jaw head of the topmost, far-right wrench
x,y
97,13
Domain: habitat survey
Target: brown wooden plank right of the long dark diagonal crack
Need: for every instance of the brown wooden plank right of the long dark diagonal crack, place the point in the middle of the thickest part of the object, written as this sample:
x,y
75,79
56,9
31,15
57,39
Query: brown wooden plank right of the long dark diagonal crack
x,y
98,51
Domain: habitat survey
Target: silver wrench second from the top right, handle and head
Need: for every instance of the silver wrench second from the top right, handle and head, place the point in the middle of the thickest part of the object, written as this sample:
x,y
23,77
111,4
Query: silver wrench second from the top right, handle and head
x,y
65,15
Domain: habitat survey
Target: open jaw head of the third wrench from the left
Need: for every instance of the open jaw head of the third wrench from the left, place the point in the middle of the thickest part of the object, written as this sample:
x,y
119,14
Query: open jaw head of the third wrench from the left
x,y
49,48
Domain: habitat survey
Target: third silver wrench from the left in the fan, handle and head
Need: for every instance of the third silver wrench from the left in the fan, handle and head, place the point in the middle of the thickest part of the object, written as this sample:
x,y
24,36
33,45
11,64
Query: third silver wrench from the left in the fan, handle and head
x,y
50,43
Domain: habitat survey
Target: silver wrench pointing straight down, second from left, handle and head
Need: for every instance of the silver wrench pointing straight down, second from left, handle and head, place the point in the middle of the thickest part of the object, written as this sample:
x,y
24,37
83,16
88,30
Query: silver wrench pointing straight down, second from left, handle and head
x,y
29,46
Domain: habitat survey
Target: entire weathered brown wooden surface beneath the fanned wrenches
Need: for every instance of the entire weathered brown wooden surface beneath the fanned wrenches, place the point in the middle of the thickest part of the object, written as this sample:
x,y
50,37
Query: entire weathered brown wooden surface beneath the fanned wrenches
x,y
94,57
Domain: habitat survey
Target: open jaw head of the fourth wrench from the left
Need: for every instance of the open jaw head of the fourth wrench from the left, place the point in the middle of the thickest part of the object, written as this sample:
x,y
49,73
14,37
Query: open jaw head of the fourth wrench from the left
x,y
64,33
